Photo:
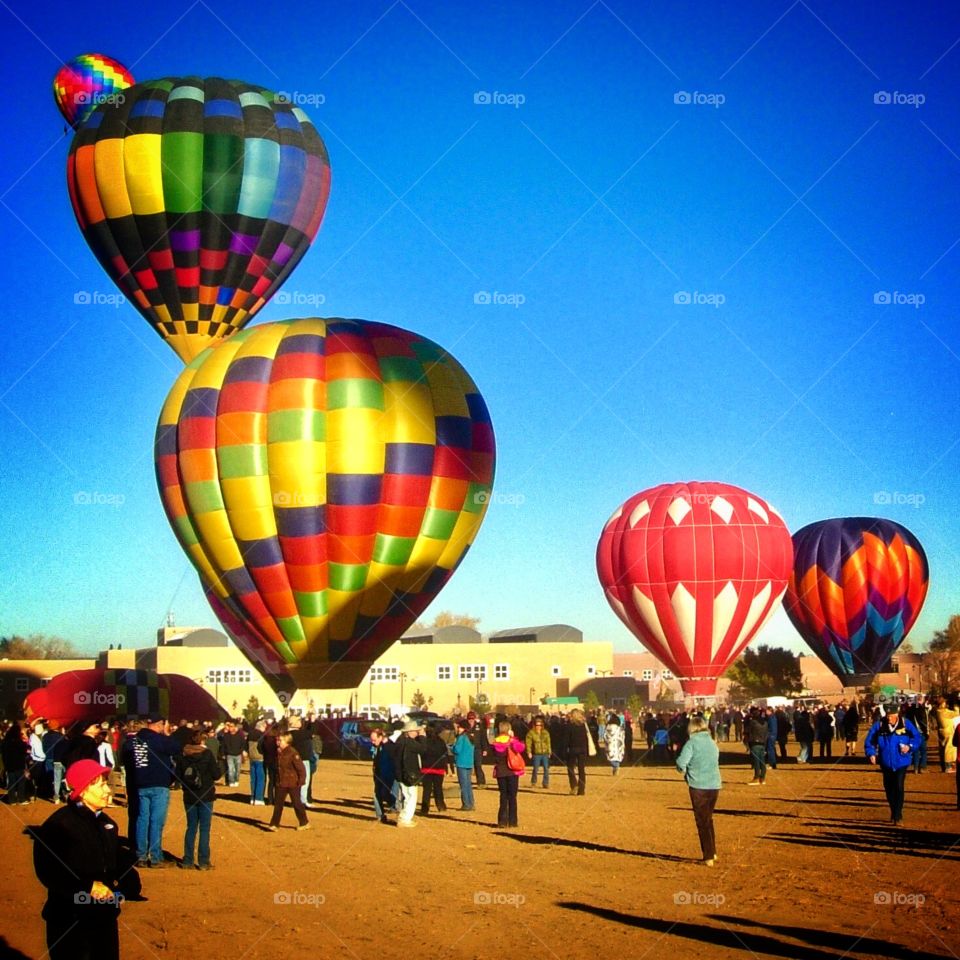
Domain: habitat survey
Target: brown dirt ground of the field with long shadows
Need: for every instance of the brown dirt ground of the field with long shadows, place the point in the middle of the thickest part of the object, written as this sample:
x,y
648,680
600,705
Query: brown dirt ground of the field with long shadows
x,y
808,867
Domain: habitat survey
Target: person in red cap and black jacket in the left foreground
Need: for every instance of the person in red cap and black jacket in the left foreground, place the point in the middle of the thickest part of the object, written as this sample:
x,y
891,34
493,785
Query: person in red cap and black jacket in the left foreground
x,y
79,859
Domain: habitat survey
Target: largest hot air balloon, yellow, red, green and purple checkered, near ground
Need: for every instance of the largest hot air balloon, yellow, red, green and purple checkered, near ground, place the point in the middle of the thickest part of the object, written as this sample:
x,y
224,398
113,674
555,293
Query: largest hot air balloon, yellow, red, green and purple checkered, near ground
x,y
325,477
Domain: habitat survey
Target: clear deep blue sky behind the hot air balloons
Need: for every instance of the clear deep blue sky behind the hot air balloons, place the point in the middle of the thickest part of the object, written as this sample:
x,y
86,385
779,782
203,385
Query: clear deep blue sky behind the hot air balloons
x,y
780,199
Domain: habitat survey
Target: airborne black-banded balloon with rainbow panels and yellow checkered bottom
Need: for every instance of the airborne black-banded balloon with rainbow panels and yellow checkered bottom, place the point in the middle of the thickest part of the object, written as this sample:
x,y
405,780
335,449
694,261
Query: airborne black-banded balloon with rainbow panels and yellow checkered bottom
x,y
198,197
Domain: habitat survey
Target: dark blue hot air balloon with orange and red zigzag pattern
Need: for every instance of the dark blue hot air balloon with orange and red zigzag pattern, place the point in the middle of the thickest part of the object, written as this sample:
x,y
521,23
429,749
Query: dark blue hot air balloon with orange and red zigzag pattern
x,y
856,589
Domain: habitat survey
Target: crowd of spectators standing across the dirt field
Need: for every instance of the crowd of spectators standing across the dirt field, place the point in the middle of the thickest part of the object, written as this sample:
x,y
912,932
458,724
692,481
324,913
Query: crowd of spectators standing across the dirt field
x,y
147,759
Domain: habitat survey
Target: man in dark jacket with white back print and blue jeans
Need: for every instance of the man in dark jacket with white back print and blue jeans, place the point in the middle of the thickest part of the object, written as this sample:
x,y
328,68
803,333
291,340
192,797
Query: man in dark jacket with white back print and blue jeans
x,y
149,758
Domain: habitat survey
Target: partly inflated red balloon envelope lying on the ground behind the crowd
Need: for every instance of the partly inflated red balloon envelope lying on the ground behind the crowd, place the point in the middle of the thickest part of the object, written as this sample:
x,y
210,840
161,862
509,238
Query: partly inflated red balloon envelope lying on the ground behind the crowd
x,y
99,694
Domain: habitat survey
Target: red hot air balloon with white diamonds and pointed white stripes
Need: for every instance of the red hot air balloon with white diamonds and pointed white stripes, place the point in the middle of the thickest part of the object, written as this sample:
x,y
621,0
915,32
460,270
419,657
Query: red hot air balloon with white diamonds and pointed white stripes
x,y
694,570
